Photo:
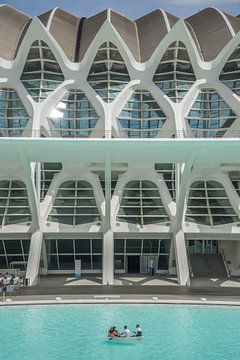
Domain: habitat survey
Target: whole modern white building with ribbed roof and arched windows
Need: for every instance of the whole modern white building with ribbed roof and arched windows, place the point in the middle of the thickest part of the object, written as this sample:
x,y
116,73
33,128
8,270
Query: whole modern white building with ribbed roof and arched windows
x,y
120,144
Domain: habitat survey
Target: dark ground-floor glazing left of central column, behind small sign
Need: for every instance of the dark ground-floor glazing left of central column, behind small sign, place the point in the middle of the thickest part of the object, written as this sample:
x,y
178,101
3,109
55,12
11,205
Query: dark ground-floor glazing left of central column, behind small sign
x,y
62,253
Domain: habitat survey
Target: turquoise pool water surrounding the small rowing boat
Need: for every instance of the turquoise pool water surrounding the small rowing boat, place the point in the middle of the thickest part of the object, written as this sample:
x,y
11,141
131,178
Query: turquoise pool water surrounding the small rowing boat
x,y
79,332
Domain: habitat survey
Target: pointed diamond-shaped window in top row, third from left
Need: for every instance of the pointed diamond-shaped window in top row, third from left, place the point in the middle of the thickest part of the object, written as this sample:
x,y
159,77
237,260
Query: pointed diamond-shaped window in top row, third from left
x,y
175,75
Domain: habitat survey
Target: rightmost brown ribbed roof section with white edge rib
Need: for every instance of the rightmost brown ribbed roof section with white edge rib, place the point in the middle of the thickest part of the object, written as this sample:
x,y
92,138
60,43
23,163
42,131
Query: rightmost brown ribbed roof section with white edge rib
x,y
212,30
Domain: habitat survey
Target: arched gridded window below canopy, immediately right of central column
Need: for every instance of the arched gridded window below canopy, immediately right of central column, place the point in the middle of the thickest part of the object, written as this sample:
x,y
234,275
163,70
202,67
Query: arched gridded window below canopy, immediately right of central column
x,y
141,204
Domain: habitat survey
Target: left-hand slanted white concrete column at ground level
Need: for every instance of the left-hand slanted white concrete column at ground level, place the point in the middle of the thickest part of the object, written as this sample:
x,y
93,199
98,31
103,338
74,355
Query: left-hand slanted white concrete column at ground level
x,y
34,257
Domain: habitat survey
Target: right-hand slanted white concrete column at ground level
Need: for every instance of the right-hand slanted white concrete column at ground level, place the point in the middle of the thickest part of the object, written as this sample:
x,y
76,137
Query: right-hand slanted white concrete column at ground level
x,y
181,258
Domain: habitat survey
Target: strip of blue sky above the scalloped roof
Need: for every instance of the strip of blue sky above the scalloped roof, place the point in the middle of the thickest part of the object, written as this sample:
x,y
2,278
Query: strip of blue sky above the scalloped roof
x,y
131,8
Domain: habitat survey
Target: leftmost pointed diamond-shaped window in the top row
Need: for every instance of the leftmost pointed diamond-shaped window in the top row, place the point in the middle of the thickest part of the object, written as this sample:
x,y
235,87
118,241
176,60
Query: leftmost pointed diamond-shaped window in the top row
x,y
41,74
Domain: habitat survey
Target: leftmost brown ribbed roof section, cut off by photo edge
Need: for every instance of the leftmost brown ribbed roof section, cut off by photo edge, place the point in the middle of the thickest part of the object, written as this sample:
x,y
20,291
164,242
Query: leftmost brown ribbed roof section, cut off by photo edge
x,y
13,25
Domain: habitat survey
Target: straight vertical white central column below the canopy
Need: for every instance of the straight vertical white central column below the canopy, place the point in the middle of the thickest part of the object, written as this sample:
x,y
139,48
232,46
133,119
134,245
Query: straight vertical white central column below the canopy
x,y
108,238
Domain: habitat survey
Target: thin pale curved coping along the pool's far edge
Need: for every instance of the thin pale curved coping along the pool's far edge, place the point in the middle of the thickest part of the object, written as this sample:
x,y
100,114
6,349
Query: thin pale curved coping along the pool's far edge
x,y
108,300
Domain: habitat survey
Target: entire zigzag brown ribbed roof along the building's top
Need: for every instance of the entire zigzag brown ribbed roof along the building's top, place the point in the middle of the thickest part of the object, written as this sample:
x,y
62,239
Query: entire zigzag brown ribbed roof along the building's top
x,y
210,28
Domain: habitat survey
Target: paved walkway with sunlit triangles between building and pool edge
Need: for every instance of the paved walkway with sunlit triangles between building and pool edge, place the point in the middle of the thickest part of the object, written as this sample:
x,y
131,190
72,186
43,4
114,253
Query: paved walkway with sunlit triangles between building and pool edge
x,y
130,288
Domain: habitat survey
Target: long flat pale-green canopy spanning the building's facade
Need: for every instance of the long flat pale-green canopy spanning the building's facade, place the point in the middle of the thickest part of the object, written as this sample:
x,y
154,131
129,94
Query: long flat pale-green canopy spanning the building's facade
x,y
121,150
